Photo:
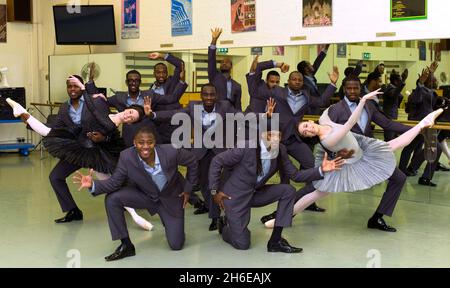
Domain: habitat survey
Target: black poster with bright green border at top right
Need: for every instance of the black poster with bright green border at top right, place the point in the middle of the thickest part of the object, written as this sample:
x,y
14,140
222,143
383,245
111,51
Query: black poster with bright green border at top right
x,y
408,9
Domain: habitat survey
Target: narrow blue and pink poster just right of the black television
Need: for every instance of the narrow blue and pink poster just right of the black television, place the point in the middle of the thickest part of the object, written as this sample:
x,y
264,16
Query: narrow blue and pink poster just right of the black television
x,y
130,19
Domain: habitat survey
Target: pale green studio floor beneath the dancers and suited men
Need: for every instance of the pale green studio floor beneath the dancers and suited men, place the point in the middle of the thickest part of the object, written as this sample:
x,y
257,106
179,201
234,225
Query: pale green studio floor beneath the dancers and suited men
x,y
337,238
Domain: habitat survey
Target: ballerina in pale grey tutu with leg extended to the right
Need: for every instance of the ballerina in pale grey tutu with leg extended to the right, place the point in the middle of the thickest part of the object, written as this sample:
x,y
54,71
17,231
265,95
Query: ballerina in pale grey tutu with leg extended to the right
x,y
373,160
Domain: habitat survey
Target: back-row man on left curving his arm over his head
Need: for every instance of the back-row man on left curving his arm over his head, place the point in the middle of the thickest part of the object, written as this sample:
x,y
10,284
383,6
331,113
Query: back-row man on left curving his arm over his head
x,y
163,85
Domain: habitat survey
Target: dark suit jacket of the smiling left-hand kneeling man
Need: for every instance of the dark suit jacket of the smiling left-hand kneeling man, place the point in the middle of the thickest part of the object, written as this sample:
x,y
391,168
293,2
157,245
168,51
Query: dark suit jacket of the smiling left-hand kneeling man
x,y
131,170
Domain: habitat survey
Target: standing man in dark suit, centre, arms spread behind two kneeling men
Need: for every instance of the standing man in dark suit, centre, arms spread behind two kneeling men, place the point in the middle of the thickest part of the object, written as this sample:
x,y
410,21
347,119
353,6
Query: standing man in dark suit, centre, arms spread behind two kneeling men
x,y
210,108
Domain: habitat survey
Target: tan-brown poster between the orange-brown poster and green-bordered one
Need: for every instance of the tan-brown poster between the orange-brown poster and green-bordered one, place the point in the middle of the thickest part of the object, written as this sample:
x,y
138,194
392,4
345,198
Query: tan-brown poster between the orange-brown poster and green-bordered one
x,y
317,13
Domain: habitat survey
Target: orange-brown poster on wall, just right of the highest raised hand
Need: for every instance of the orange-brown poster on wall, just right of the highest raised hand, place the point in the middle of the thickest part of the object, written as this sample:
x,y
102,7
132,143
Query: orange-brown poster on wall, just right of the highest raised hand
x,y
243,15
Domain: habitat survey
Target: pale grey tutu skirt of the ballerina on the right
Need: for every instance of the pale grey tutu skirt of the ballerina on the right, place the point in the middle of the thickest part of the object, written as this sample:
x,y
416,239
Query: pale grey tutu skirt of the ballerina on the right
x,y
376,165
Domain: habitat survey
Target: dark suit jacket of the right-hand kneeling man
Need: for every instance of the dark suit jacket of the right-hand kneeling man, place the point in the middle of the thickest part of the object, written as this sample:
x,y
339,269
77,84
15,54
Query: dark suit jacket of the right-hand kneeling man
x,y
243,179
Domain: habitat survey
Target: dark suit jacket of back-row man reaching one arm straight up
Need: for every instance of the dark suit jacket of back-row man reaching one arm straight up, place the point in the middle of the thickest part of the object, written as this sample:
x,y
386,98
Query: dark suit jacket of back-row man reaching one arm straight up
x,y
220,82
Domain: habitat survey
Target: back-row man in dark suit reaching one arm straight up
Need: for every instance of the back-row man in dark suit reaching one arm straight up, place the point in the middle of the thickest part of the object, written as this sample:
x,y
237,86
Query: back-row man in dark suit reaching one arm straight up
x,y
226,88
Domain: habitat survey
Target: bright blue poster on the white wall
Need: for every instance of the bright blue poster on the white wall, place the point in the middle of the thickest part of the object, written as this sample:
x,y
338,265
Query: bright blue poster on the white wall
x,y
181,17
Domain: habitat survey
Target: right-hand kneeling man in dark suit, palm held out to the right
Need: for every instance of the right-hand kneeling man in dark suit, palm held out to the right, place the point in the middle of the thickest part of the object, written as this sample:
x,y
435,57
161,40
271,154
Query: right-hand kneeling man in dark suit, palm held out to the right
x,y
247,187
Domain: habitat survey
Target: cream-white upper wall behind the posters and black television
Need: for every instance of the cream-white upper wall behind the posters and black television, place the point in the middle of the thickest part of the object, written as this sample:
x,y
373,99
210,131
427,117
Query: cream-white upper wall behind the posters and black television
x,y
277,22
